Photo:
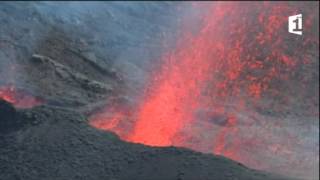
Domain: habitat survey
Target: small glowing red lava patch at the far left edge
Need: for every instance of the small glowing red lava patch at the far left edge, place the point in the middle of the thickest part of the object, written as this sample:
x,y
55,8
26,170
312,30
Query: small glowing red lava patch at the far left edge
x,y
18,98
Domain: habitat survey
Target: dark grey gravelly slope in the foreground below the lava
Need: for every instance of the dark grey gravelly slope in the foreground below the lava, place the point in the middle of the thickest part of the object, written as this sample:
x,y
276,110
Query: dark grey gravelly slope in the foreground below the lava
x,y
62,146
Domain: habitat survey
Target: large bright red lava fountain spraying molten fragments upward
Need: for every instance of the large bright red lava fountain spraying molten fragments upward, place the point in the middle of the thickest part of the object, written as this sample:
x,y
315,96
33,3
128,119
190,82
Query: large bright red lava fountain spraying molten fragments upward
x,y
239,58
